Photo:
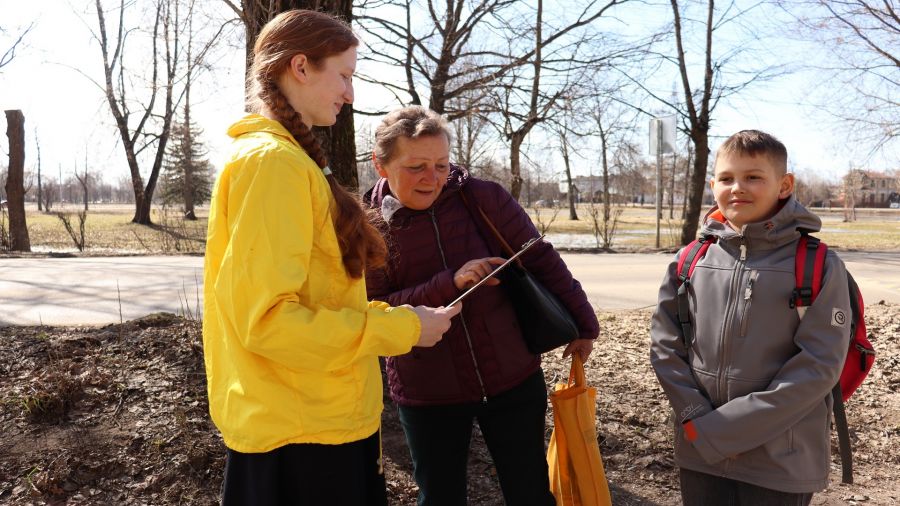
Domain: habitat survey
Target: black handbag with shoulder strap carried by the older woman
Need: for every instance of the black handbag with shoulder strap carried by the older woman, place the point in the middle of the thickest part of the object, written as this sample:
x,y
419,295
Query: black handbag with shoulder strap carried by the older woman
x,y
545,322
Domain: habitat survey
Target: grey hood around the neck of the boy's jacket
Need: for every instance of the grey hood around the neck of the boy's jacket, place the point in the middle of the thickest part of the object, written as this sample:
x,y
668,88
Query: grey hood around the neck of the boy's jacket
x,y
785,226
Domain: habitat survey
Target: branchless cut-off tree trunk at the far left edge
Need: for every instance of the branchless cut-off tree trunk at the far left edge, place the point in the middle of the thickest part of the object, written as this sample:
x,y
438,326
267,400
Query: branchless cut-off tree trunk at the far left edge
x,y
15,191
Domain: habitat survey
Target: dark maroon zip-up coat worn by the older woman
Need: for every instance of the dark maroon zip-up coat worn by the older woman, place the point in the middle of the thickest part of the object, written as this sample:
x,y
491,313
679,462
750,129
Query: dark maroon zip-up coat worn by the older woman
x,y
483,354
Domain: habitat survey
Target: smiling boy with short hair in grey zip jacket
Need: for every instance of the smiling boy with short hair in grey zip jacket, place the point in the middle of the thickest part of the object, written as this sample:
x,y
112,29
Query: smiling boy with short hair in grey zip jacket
x,y
751,390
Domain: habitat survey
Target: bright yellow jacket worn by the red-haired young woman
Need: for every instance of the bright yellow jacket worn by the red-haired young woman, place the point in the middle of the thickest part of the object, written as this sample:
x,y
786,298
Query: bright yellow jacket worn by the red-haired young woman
x,y
289,339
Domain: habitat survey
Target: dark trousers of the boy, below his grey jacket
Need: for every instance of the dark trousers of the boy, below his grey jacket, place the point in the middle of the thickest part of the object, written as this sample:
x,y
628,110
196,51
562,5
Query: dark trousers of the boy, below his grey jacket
x,y
701,489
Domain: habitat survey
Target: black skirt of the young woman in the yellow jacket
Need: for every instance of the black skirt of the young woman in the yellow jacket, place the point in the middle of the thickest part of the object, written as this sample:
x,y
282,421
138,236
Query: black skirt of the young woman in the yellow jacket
x,y
307,474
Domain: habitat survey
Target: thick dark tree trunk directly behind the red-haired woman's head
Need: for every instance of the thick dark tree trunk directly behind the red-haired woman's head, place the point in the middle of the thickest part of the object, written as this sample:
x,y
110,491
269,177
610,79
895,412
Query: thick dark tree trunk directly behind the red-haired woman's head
x,y
338,140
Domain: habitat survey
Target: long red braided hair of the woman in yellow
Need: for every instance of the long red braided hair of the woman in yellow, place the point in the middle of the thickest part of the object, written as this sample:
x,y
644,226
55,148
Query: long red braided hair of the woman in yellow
x,y
317,36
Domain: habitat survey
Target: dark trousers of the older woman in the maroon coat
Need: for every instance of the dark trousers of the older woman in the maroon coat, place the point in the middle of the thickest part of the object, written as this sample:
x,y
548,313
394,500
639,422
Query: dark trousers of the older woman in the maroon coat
x,y
513,427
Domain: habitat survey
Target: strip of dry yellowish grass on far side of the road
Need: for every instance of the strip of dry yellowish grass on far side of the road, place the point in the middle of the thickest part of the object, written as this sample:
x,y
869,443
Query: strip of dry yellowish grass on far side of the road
x,y
108,230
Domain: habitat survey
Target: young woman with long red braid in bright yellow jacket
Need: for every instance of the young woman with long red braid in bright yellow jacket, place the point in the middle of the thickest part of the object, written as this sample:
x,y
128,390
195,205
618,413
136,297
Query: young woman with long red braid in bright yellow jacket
x,y
290,341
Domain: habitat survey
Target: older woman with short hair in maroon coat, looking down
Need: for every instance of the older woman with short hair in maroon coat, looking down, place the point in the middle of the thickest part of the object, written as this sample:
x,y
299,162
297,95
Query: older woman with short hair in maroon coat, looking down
x,y
482,369
